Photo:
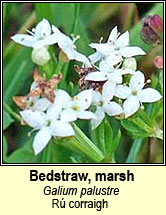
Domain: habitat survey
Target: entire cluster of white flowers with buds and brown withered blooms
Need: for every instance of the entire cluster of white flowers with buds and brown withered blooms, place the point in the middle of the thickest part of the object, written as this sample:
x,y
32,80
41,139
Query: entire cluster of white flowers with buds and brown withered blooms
x,y
109,76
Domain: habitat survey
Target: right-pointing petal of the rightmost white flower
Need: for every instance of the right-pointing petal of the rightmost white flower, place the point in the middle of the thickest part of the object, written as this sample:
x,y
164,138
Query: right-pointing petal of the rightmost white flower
x,y
149,95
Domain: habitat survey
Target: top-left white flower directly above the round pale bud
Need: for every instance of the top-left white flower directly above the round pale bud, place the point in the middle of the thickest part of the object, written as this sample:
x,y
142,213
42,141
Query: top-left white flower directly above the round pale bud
x,y
40,37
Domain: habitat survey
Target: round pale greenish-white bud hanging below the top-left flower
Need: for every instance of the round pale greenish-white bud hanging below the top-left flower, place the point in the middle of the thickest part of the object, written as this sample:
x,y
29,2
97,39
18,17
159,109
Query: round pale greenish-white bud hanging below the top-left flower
x,y
40,56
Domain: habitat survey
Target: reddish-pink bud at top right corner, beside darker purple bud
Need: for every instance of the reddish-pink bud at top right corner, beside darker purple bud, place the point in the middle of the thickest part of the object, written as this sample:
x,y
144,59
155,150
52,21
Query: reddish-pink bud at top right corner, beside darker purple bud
x,y
156,24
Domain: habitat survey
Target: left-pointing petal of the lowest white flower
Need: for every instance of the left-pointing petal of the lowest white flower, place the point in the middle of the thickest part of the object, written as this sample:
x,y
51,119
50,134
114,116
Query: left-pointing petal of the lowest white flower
x,y
35,119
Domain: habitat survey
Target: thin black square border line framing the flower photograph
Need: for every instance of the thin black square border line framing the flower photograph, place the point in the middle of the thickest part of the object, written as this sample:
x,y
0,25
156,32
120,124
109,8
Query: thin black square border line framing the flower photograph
x,y
82,164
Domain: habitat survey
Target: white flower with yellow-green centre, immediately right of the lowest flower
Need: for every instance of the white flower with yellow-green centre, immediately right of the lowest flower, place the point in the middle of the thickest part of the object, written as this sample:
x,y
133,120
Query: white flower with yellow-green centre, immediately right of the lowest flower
x,y
77,107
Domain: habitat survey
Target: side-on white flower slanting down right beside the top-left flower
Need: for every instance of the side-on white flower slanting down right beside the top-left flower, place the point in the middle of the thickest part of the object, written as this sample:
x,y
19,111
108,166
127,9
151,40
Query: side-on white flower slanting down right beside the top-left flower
x,y
67,46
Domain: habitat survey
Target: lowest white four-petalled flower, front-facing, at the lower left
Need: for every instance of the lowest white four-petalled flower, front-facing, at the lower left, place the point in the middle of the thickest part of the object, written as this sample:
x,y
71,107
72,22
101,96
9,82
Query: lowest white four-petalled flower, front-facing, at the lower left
x,y
49,124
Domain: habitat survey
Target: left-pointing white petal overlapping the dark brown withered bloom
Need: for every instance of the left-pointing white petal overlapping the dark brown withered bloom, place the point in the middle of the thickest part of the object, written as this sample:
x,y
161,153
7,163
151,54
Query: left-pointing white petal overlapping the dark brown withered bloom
x,y
96,76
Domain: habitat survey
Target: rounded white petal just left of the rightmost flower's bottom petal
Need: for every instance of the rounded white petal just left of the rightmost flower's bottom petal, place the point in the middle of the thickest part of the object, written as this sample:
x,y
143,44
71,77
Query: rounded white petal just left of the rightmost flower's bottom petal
x,y
112,108
